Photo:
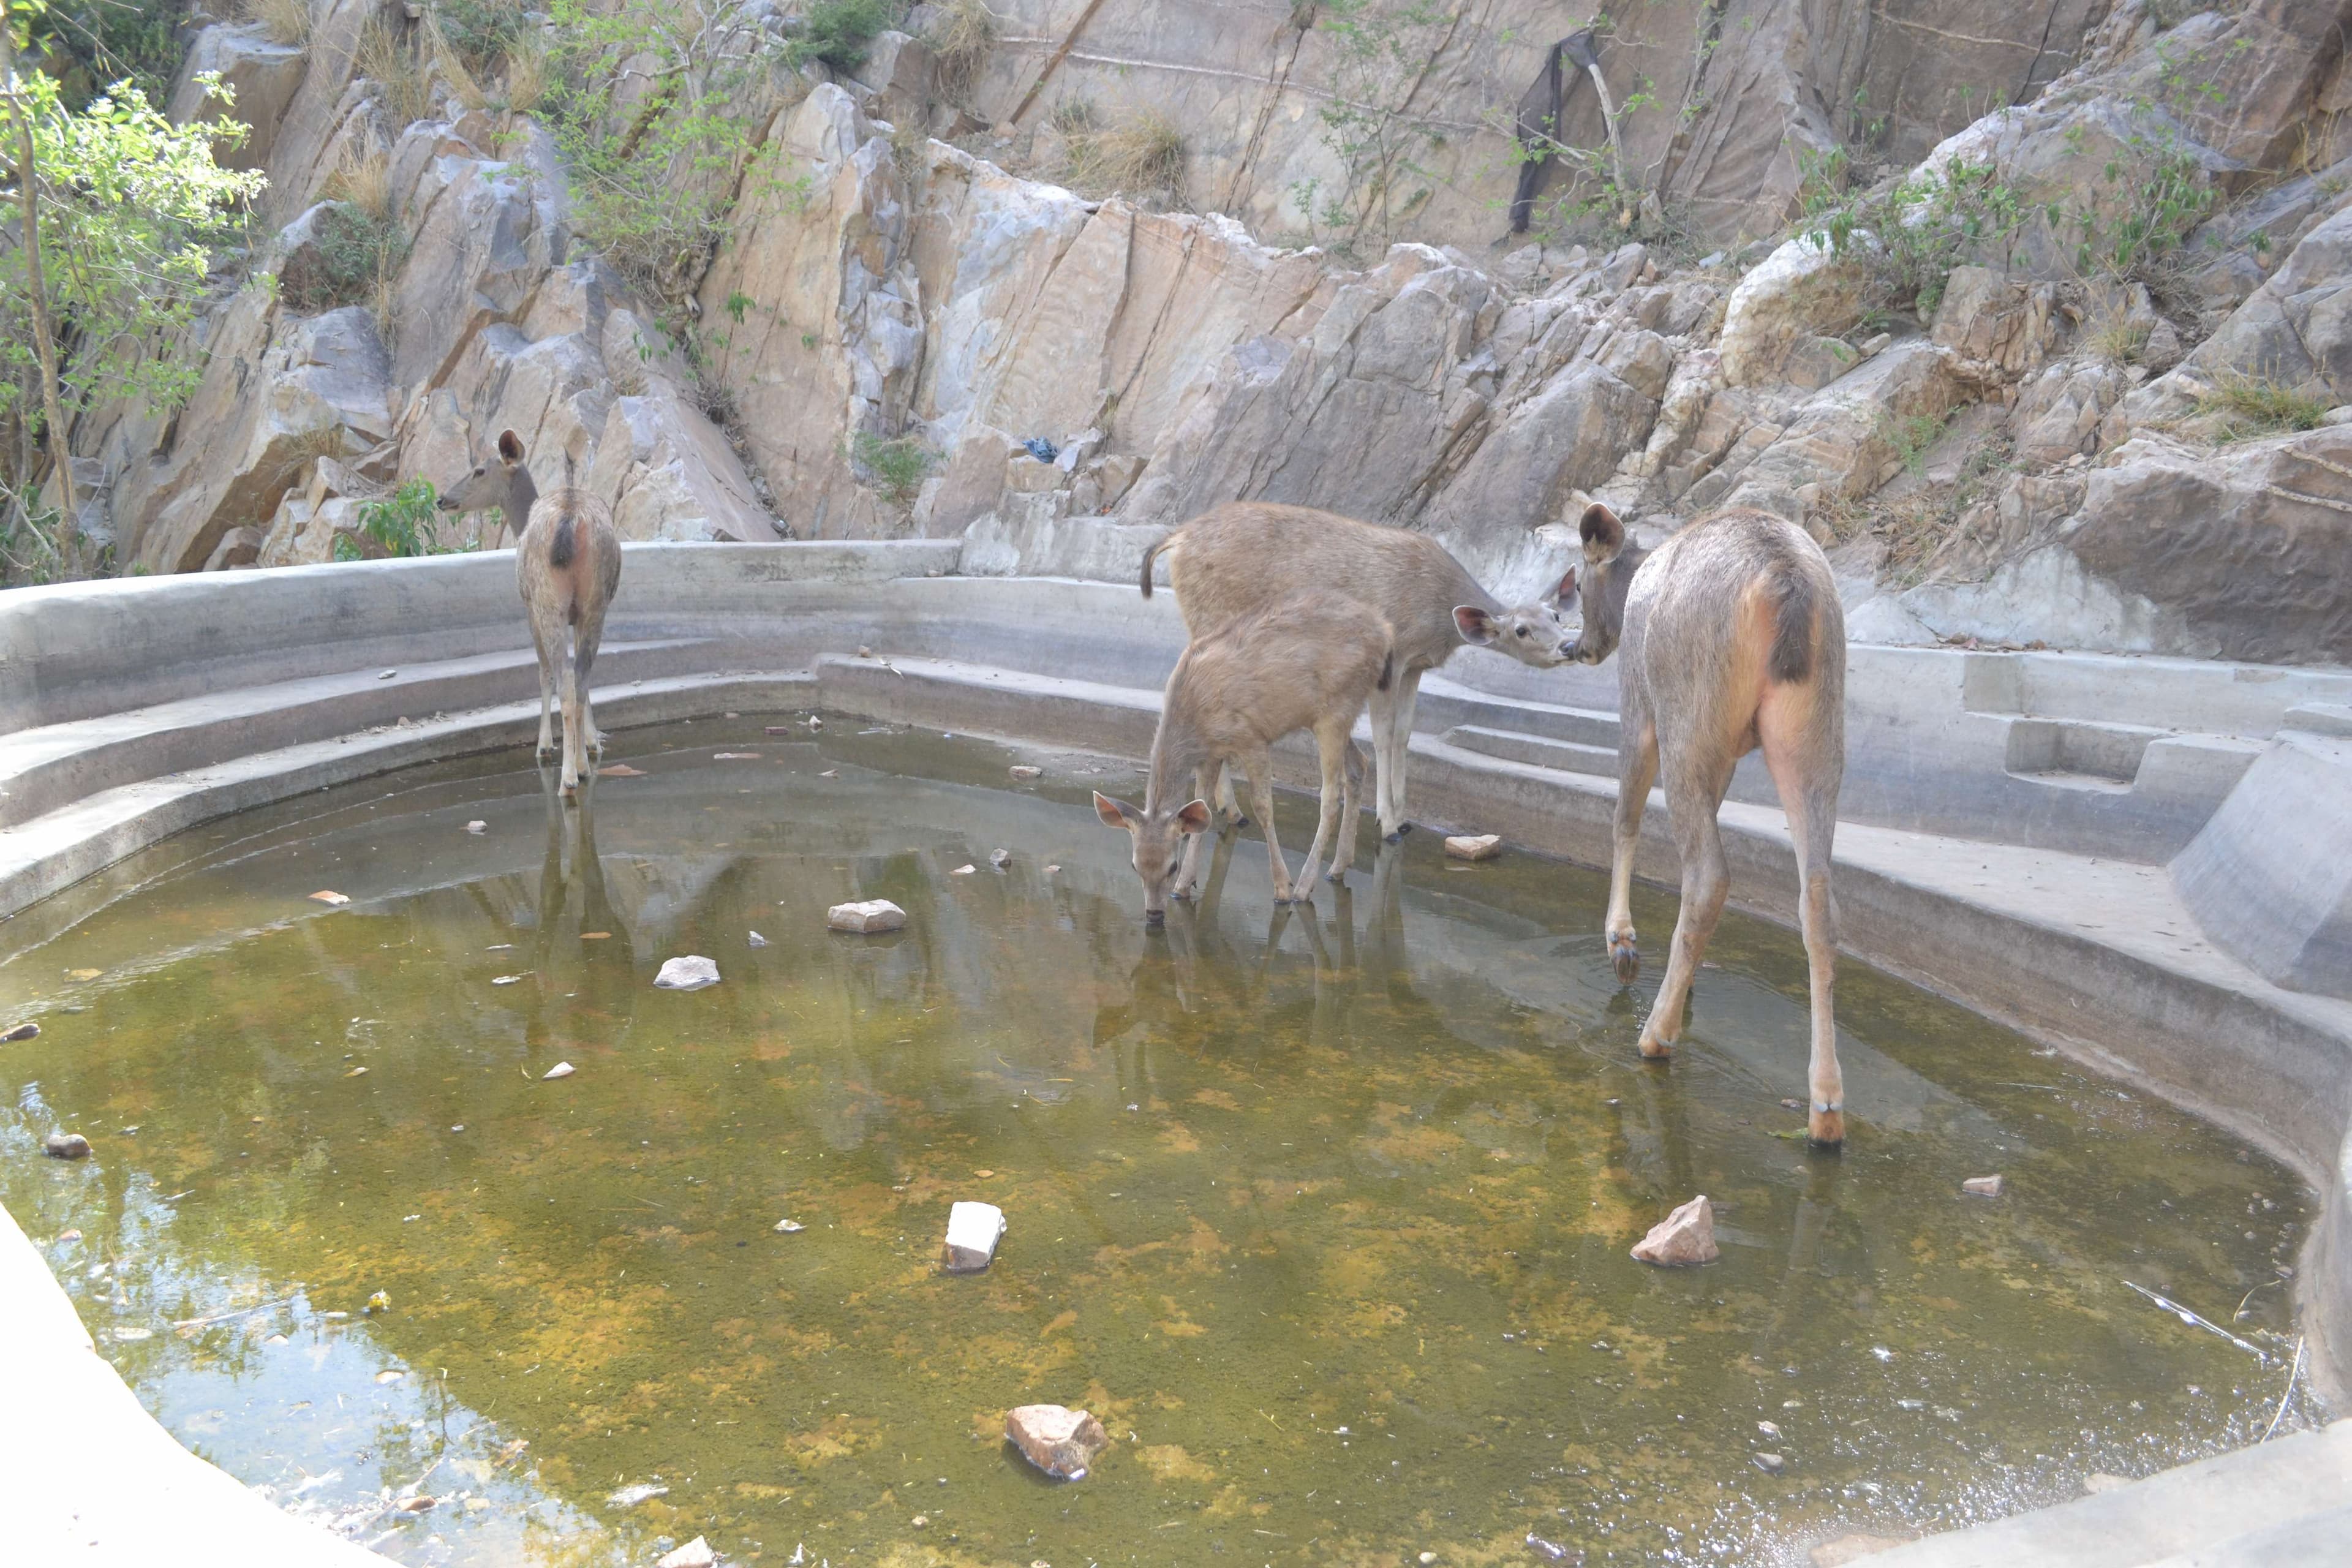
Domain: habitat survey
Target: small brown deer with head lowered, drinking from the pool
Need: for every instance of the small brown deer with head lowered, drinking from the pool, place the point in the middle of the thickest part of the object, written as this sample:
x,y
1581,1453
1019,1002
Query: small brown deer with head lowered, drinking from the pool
x,y
1307,662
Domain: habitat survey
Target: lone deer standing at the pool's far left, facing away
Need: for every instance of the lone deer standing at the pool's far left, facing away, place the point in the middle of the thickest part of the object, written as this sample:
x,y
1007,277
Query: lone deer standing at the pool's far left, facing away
x,y
568,563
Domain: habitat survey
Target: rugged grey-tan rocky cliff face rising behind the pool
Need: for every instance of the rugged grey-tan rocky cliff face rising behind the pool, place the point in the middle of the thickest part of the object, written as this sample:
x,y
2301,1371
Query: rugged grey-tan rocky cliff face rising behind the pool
x,y
2118,455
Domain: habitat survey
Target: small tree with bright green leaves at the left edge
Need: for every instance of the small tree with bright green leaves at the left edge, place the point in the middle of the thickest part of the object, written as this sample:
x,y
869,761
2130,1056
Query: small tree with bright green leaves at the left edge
x,y
114,213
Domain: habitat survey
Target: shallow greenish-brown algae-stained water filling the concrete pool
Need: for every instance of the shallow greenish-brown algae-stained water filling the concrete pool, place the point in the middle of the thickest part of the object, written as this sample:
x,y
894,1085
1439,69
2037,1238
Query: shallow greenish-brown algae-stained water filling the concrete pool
x,y
1323,1212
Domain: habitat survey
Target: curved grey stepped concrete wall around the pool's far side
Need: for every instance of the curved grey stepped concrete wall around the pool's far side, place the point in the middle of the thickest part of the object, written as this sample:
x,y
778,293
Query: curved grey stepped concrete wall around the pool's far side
x,y
2007,815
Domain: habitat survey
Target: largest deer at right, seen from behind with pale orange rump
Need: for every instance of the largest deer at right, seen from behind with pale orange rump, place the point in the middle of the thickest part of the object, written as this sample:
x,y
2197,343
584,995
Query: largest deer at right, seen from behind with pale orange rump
x,y
1732,641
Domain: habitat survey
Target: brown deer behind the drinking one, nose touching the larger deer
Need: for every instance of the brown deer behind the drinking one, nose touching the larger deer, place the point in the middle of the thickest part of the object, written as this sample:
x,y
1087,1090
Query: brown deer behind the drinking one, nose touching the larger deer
x,y
1238,558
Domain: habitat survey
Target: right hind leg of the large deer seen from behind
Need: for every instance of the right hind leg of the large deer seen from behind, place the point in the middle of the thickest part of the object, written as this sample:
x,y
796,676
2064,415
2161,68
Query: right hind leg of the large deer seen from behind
x,y
1805,772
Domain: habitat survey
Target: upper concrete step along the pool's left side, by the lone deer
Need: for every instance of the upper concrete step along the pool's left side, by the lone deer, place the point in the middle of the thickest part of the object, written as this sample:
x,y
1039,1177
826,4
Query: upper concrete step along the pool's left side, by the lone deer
x,y
51,768
